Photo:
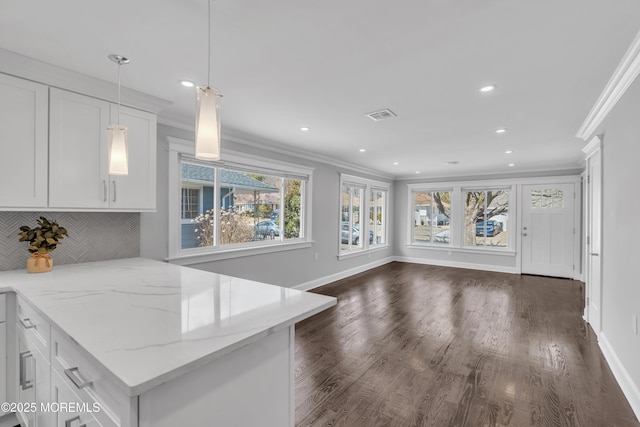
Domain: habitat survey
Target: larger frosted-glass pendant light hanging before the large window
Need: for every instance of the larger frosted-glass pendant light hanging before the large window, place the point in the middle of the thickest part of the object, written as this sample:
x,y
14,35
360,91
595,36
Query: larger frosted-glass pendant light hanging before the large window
x,y
207,118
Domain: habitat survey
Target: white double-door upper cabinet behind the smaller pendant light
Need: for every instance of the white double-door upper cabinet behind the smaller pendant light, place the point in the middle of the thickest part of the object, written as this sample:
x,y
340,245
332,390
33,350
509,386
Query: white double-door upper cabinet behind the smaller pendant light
x,y
78,155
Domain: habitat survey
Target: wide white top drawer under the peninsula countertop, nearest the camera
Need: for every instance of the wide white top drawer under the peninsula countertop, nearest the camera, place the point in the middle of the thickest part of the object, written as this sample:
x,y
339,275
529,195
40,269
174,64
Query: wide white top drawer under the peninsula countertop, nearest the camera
x,y
89,382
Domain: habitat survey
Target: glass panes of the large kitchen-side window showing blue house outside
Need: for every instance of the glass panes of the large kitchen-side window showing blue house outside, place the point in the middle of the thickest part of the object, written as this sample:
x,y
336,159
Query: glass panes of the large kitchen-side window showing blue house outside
x,y
223,207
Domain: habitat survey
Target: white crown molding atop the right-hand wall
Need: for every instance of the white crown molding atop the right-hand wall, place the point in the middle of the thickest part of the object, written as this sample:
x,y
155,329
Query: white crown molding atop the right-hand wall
x,y
622,78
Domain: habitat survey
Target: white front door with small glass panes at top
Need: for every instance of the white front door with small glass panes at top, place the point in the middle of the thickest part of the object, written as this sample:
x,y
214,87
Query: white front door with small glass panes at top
x,y
548,229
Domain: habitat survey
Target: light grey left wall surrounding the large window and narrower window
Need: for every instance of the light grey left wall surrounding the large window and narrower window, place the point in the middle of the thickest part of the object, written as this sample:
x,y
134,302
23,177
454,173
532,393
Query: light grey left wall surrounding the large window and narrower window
x,y
289,268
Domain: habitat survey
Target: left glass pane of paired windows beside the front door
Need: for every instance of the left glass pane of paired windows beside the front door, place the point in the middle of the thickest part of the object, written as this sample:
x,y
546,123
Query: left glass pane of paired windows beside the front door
x,y
431,217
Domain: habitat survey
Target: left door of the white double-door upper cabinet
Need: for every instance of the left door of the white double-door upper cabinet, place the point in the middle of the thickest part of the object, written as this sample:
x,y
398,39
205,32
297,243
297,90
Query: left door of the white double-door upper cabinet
x,y
77,151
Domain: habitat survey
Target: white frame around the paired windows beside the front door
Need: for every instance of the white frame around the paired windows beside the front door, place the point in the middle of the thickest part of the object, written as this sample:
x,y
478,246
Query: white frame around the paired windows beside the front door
x,y
456,239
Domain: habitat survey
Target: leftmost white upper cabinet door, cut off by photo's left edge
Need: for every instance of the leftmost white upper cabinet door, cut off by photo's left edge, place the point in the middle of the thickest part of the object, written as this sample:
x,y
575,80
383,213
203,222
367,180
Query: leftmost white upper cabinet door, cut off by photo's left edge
x,y
23,143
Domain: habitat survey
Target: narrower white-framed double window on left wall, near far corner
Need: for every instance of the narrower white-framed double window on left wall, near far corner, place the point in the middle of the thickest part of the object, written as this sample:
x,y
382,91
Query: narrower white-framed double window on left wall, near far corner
x,y
363,214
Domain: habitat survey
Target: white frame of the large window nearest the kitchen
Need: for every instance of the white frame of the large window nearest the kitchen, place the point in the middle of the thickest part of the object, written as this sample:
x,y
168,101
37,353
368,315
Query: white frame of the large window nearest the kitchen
x,y
180,149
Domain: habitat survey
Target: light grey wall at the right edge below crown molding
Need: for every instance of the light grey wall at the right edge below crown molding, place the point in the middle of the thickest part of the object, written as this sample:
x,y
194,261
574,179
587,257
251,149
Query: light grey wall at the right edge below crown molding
x,y
621,240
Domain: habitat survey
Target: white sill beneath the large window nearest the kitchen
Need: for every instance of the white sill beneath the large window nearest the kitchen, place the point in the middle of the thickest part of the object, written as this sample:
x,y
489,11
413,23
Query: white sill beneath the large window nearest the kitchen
x,y
222,254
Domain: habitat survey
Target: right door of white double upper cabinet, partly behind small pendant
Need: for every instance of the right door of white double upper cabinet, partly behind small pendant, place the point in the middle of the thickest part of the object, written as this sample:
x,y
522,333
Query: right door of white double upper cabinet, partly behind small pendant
x,y
138,189
